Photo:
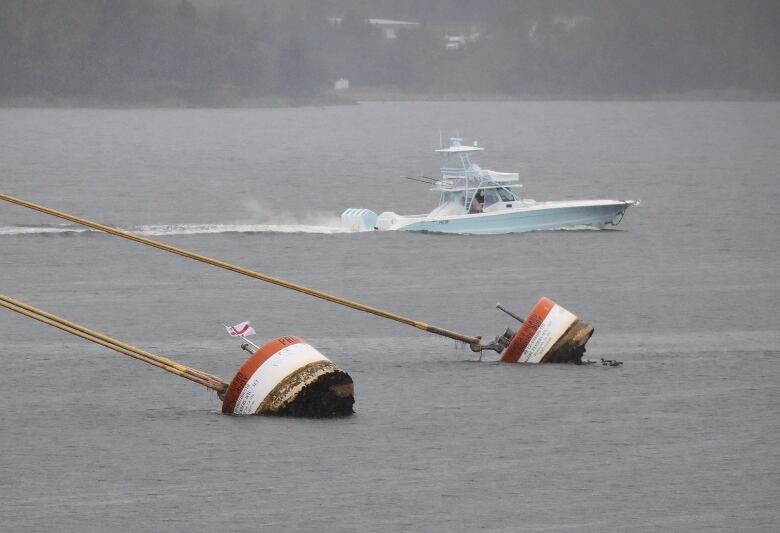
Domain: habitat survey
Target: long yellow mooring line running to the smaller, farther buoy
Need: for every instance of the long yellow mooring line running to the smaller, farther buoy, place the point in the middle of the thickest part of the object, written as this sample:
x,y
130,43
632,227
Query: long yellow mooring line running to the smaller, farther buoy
x,y
251,273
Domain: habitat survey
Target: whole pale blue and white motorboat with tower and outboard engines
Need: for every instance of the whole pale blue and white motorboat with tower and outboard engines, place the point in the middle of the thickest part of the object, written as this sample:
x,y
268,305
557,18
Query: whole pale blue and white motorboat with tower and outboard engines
x,y
473,200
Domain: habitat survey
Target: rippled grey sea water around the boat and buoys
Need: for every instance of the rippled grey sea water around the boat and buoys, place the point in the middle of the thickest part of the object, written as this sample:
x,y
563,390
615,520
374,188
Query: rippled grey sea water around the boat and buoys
x,y
682,437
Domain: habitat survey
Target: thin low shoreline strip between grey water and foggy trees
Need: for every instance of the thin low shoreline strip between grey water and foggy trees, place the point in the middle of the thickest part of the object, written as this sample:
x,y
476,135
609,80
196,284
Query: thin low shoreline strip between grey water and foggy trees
x,y
356,96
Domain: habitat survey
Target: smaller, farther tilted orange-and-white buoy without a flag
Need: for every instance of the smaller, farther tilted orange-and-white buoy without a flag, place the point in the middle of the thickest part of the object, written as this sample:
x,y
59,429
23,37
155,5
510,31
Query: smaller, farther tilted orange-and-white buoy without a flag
x,y
550,334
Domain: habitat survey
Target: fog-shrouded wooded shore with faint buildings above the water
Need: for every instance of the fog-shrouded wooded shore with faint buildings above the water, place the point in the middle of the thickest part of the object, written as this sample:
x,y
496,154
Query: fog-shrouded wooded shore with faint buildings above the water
x,y
273,52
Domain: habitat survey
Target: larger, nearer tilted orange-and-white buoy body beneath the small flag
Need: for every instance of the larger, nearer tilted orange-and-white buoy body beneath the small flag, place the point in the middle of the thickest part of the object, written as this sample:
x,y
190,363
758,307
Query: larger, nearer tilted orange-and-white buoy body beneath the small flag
x,y
289,377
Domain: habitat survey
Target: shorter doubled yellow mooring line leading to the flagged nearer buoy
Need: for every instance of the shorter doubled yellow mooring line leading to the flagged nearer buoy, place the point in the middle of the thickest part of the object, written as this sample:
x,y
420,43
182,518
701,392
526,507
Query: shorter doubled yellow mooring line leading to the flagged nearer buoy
x,y
198,376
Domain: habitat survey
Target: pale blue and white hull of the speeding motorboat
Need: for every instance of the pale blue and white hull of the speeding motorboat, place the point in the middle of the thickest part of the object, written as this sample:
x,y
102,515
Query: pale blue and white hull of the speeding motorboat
x,y
534,217
